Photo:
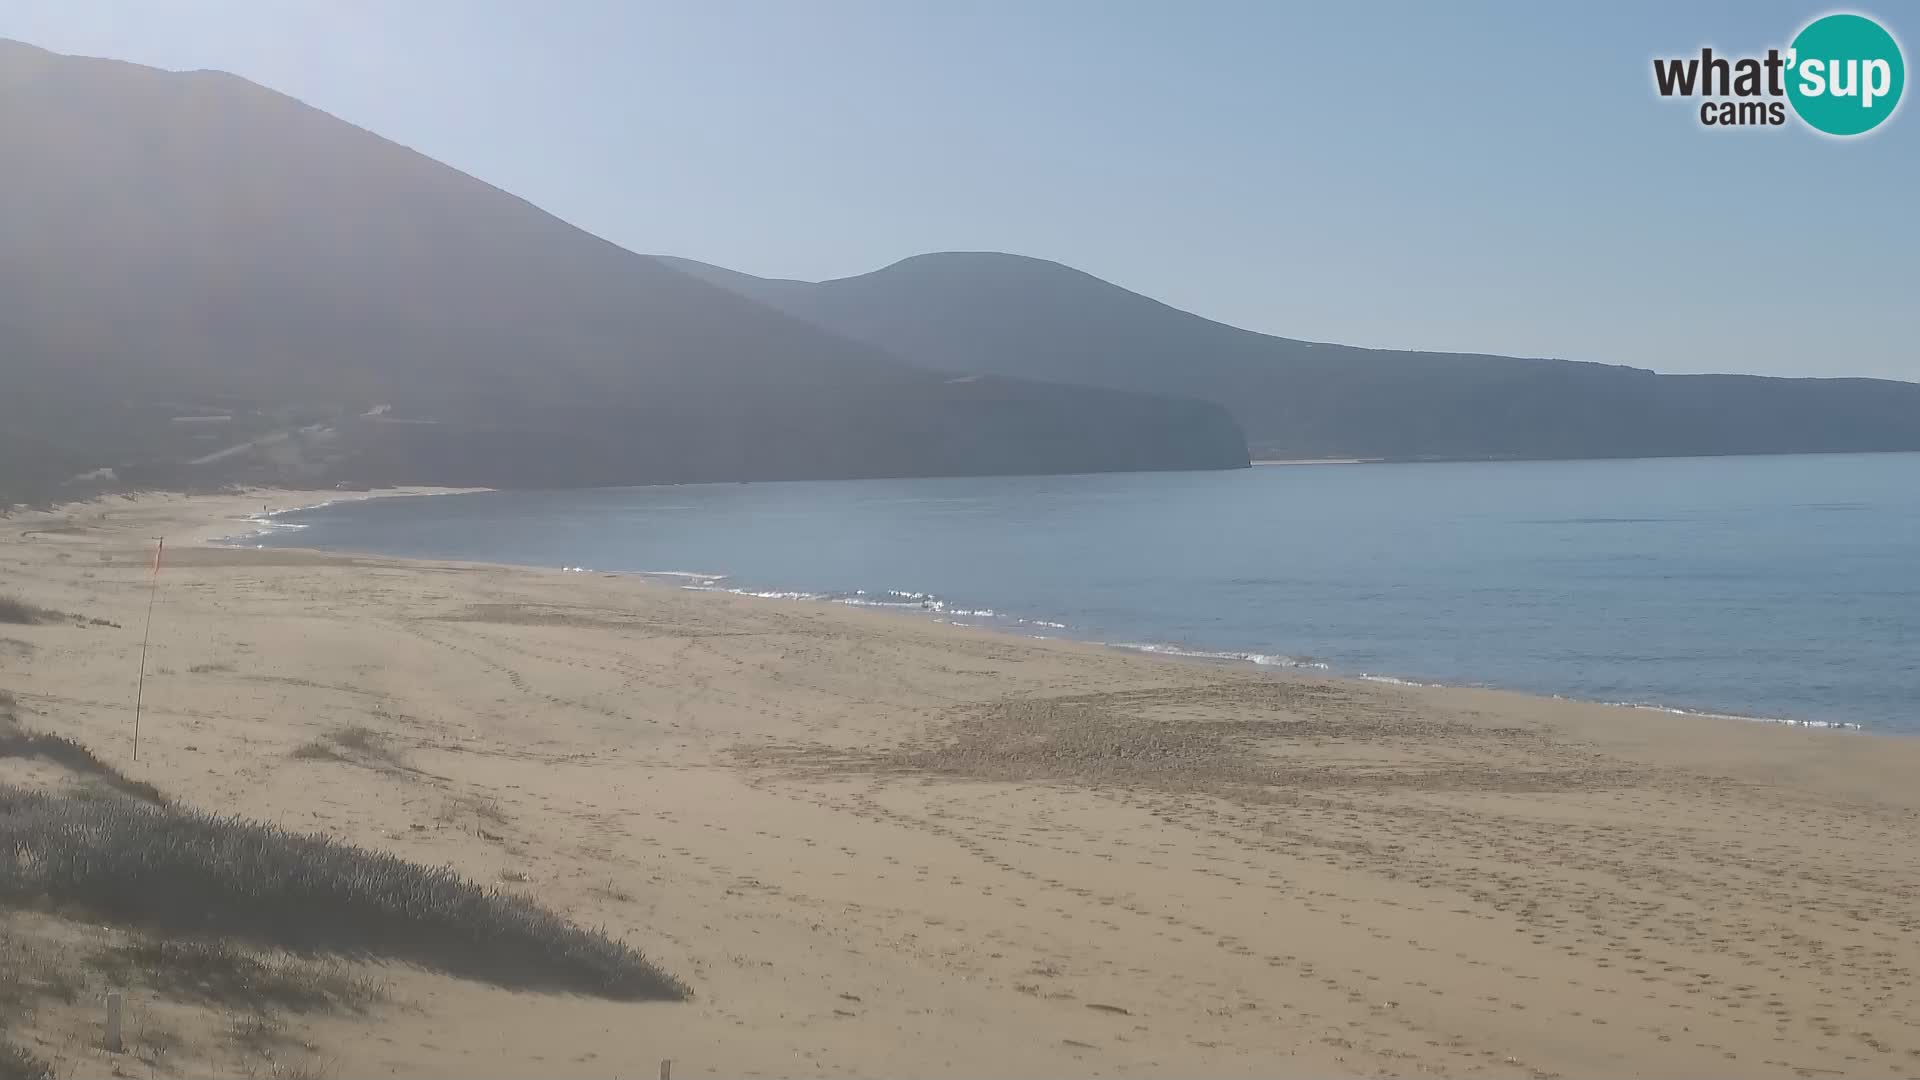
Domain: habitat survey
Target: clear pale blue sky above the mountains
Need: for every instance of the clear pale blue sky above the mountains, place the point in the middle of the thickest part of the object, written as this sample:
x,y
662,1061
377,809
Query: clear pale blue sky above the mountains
x,y
1410,176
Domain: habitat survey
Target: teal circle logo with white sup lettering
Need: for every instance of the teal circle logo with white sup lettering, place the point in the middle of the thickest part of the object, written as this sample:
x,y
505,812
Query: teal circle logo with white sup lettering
x,y
1846,74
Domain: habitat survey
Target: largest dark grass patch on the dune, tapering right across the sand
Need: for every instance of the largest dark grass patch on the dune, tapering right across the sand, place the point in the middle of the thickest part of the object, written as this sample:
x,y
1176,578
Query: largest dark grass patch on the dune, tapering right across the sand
x,y
180,871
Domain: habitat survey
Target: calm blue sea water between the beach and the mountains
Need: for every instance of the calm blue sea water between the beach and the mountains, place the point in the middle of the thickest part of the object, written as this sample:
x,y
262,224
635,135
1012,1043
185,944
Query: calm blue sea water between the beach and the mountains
x,y
1767,587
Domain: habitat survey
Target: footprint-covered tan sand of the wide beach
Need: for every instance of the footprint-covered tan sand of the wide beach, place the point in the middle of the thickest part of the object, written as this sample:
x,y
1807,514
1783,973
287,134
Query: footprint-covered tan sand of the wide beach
x,y
880,847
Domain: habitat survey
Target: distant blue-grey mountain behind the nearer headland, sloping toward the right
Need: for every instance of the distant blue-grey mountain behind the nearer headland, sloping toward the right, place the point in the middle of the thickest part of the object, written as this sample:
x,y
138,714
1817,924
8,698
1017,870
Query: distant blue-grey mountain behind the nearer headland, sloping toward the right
x,y
1013,316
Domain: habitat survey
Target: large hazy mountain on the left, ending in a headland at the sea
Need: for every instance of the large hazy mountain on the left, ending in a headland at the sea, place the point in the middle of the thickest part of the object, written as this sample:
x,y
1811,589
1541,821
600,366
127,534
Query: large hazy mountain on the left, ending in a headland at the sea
x,y
199,268
